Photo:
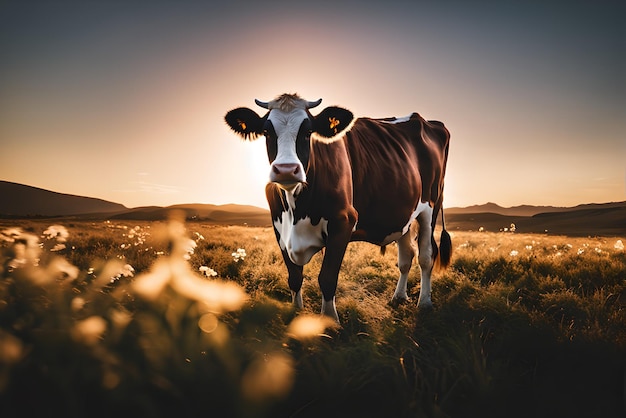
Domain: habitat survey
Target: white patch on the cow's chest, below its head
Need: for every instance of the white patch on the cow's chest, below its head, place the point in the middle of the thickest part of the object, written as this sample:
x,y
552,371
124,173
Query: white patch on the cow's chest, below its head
x,y
302,240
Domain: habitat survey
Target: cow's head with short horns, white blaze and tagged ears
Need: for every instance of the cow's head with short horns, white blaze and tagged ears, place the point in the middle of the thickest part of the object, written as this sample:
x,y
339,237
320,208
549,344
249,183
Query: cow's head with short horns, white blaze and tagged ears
x,y
287,127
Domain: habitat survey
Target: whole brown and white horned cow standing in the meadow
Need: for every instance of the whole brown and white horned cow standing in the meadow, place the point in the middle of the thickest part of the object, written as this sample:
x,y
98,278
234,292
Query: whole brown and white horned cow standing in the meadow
x,y
335,179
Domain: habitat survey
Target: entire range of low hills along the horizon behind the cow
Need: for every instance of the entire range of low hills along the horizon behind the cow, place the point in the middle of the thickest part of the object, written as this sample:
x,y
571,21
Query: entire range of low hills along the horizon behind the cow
x,y
609,219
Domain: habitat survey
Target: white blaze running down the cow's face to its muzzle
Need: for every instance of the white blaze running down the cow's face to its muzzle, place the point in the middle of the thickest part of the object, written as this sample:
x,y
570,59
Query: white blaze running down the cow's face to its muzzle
x,y
286,125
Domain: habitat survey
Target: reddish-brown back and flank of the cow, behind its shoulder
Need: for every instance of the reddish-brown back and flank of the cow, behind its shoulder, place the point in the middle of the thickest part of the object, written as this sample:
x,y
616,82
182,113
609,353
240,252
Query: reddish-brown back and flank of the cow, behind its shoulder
x,y
395,165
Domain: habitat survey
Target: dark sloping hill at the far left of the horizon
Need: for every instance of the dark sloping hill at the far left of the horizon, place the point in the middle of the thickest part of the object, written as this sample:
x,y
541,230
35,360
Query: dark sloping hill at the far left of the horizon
x,y
19,200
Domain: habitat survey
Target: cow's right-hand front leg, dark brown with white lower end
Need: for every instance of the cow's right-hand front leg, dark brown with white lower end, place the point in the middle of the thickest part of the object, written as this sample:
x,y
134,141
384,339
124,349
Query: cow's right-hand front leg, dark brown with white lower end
x,y
338,237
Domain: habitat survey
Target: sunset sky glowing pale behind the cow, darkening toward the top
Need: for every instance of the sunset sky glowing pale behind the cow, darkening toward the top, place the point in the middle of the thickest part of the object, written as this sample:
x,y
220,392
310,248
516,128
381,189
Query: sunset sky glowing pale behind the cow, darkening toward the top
x,y
125,100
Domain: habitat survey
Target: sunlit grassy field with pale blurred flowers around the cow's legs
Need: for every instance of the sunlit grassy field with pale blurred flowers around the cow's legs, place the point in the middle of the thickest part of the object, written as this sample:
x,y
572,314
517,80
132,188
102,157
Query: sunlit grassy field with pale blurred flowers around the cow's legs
x,y
188,320
